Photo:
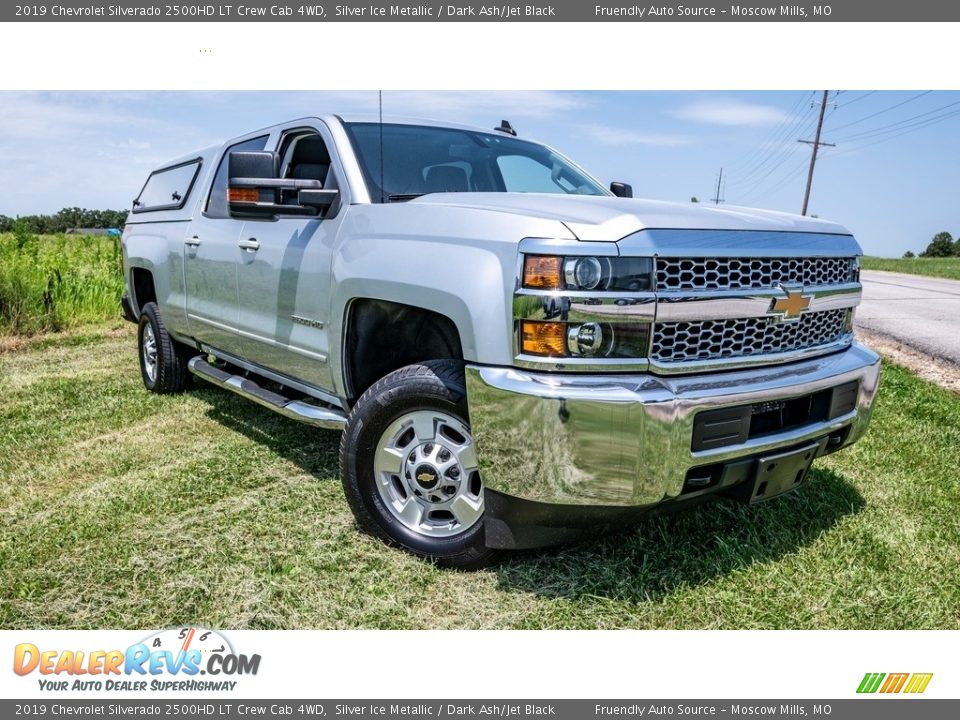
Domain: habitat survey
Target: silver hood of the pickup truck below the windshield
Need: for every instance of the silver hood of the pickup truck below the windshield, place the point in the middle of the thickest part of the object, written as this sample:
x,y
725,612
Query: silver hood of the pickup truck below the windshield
x,y
609,219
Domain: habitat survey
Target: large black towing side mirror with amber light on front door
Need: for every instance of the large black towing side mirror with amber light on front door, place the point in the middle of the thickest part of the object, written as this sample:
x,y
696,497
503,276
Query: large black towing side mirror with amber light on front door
x,y
255,190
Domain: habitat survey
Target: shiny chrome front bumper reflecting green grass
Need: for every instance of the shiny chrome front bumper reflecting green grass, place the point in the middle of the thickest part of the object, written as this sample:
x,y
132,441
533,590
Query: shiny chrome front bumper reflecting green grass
x,y
625,440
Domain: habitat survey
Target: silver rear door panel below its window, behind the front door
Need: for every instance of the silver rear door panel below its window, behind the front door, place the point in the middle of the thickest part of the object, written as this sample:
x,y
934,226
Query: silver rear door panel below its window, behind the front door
x,y
210,255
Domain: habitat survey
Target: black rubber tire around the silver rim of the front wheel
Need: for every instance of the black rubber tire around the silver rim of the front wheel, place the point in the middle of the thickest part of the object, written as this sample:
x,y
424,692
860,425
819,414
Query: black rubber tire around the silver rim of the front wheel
x,y
434,385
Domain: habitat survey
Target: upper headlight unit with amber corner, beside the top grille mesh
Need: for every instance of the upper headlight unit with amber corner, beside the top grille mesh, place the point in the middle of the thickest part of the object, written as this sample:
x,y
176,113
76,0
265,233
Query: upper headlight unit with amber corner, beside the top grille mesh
x,y
551,272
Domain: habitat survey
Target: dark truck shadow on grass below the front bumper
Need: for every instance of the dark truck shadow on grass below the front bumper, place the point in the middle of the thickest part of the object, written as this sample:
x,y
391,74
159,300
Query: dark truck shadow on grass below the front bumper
x,y
658,555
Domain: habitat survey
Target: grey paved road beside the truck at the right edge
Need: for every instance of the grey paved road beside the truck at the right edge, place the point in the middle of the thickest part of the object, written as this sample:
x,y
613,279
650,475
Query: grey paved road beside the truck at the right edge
x,y
921,312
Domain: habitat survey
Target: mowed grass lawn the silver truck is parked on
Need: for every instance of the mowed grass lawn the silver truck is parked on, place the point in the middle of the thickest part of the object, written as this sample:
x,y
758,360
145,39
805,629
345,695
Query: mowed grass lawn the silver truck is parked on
x,y
124,509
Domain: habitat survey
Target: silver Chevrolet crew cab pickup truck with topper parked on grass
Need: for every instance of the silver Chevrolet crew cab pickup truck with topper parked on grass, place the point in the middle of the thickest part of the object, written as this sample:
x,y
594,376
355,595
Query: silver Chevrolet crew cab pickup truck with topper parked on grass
x,y
514,353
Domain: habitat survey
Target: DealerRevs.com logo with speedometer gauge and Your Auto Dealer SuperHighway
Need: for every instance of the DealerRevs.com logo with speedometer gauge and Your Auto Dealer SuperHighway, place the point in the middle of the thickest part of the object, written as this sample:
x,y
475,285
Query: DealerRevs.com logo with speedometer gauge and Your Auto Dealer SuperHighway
x,y
179,659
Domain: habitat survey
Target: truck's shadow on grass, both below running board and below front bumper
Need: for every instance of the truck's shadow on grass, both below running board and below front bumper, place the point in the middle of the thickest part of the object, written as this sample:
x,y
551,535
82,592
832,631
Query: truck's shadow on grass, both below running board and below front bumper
x,y
642,562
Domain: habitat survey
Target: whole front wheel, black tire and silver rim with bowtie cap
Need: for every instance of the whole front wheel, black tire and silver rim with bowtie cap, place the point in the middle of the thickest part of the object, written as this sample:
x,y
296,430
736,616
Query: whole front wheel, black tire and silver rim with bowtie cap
x,y
409,466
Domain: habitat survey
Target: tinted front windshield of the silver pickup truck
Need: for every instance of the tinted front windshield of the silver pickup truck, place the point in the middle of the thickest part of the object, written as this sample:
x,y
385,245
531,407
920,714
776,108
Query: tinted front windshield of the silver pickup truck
x,y
420,160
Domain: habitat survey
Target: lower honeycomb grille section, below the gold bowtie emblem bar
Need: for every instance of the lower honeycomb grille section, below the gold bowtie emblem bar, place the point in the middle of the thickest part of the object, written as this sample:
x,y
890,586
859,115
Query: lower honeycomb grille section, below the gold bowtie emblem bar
x,y
721,339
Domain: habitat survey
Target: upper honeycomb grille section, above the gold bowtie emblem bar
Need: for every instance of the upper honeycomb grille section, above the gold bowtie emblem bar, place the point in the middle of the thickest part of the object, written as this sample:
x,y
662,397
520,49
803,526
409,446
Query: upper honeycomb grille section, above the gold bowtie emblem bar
x,y
751,273
